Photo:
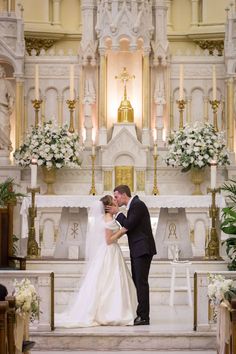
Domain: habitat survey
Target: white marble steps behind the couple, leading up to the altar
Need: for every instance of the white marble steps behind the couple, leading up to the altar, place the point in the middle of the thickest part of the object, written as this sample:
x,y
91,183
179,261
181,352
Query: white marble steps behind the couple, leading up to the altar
x,y
68,276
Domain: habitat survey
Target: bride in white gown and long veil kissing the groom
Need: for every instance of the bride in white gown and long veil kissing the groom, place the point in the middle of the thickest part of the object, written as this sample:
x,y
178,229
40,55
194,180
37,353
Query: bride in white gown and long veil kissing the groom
x,y
107,295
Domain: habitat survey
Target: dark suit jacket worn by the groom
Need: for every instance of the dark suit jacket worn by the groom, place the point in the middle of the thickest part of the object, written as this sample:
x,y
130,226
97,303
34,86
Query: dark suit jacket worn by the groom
x,y
138,223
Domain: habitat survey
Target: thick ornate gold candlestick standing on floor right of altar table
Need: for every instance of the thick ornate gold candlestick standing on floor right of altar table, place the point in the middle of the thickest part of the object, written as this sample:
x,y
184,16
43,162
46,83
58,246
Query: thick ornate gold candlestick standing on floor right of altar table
x,y
212,248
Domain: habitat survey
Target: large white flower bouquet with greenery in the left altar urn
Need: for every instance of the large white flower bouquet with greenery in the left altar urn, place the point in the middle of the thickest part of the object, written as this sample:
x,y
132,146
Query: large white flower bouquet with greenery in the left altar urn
x,y
51,145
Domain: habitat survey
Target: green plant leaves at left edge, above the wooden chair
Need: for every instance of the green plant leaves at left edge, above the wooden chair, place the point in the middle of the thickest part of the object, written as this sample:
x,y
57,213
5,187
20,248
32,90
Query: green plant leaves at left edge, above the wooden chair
x,y
7,193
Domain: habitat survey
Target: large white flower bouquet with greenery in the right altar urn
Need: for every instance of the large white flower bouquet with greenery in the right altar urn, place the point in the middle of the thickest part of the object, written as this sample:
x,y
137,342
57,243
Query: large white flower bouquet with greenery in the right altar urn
x,y
196,147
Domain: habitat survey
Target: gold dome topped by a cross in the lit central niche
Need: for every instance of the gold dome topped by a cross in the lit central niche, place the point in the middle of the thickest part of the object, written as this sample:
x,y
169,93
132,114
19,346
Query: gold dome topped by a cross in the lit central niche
x,y
125,111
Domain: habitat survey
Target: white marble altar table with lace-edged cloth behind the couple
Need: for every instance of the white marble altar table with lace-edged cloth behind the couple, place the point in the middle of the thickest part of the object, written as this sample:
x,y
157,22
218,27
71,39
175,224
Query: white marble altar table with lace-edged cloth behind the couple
x,y
62,221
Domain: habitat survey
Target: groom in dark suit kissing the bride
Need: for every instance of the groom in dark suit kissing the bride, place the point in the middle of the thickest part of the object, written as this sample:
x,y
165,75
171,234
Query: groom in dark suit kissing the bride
x,y
141,244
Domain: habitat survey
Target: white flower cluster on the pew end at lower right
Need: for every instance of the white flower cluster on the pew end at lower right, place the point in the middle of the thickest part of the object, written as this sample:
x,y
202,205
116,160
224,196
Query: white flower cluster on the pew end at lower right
x,y
219,288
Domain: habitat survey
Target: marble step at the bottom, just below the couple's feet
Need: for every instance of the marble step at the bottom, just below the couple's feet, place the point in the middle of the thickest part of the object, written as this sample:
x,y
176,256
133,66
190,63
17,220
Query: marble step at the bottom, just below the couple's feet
x,y
124,339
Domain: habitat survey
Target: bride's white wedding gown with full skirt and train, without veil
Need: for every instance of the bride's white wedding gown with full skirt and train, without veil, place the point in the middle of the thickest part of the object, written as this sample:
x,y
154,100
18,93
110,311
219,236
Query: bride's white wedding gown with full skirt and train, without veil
x,y
107,295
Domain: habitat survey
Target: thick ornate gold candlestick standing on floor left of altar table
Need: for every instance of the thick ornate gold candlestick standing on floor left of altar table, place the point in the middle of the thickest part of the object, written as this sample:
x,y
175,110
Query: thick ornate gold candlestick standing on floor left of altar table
x,y
33,250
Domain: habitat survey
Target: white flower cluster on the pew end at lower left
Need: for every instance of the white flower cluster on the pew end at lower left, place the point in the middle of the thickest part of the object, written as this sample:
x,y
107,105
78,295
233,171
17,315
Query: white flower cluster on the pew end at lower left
x,y
27,300
